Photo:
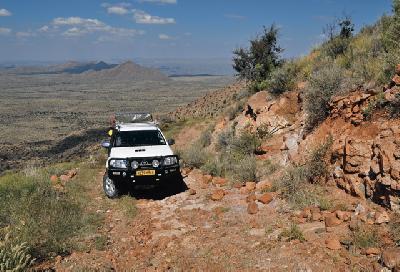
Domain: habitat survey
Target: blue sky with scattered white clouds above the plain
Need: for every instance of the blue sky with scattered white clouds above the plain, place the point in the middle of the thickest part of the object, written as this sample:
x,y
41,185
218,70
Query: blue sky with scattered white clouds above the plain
x,y
58,30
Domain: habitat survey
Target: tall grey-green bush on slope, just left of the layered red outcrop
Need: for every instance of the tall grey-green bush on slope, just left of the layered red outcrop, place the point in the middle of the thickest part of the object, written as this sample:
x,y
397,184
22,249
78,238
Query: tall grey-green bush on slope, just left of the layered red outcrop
x,y
323,84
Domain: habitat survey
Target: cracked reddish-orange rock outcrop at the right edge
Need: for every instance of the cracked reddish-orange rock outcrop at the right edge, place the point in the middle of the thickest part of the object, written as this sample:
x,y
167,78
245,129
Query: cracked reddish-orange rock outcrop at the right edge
x,y
367,163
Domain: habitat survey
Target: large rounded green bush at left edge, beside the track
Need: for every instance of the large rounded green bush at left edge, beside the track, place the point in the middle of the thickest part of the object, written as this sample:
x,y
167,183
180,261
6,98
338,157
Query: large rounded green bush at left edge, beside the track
x,y
38,215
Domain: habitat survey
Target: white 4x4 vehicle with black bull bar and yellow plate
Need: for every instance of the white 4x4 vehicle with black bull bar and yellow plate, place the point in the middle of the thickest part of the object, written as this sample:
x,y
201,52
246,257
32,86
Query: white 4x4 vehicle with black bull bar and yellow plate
x,y
138,154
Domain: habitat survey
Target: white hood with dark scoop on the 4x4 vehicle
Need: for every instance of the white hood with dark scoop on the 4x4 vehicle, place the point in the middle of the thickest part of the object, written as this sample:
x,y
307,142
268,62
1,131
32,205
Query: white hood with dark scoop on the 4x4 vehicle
x,y
141,151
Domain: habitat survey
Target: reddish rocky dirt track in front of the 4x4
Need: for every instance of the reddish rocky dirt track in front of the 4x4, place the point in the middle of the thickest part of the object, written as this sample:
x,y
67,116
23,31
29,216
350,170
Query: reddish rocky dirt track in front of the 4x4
x,y
212,227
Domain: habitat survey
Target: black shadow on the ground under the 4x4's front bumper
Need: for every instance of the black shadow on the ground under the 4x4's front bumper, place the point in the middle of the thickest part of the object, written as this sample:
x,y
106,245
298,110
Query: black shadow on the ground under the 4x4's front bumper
x,y
168,188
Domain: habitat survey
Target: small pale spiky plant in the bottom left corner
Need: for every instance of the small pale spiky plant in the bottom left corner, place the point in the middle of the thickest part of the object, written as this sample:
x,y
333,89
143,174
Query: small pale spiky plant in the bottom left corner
x,y
14,257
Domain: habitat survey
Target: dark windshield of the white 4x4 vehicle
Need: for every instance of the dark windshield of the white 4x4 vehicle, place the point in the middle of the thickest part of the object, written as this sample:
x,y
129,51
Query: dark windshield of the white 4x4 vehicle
x,y
138,138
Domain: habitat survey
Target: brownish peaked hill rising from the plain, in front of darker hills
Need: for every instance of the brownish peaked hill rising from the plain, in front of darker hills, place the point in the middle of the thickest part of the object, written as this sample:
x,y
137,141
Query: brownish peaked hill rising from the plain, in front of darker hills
x,y
126,71
